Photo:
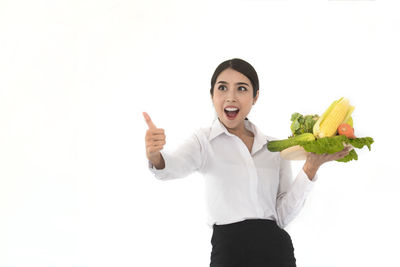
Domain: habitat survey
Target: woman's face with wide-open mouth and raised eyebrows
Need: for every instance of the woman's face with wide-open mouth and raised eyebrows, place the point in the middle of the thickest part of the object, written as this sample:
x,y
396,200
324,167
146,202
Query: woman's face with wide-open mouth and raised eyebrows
x,y
233,89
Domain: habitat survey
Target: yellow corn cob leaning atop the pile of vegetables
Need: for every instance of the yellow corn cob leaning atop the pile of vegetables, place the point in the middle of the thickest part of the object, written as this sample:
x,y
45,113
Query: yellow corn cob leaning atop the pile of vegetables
x,y
334,119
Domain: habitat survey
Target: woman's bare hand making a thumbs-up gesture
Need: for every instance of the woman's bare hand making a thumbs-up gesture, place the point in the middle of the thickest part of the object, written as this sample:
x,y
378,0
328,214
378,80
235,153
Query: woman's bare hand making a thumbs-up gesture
x,y
155,141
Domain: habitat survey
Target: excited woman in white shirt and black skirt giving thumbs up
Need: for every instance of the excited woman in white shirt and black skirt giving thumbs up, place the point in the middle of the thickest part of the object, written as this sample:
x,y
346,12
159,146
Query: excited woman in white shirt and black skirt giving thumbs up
x,y
250,192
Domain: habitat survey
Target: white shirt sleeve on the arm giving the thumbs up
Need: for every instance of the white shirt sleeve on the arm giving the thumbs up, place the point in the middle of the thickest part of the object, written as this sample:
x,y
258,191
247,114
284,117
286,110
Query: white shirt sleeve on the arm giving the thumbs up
x,y
181,162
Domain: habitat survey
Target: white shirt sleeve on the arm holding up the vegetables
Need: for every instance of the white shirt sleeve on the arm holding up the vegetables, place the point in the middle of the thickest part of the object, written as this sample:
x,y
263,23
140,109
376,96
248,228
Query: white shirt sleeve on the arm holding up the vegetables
x,y
291,194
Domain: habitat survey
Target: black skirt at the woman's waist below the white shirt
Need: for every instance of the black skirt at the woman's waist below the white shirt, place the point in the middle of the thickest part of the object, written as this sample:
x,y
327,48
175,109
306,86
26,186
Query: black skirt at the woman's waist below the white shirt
x,y
251,243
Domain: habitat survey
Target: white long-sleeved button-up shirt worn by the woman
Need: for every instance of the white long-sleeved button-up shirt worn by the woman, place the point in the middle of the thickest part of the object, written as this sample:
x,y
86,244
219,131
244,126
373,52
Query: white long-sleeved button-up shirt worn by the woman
x,y
239,185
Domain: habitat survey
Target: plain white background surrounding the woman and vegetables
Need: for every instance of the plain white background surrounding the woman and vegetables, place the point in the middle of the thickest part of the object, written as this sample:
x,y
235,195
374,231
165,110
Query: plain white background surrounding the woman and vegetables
x,y
75,77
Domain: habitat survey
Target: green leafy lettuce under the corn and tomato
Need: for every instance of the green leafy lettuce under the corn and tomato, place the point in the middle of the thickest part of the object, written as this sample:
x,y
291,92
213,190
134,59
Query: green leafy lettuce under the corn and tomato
x,y
335,144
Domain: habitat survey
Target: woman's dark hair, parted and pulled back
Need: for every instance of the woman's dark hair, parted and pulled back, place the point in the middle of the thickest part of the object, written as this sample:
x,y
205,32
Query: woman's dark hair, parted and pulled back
x,y
241,66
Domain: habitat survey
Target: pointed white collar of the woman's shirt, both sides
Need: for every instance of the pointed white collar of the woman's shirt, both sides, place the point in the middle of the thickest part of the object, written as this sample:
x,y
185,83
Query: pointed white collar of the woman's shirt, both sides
x,y
218,128
